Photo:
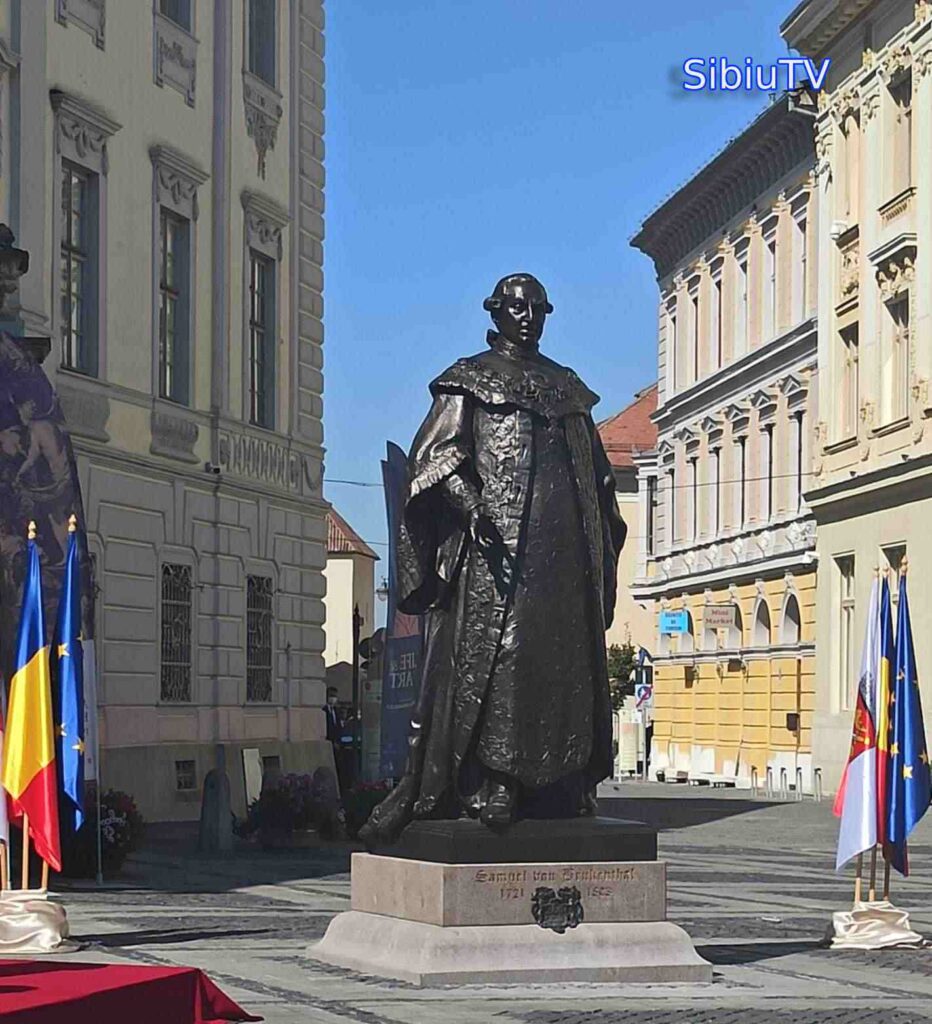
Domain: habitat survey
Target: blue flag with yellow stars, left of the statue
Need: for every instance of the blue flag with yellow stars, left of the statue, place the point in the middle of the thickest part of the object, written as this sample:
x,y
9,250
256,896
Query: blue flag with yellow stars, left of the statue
x,y
68,661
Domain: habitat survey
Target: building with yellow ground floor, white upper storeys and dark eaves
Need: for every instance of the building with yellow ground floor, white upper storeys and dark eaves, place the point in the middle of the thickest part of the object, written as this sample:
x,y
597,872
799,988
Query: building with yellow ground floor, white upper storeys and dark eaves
x,y
727,537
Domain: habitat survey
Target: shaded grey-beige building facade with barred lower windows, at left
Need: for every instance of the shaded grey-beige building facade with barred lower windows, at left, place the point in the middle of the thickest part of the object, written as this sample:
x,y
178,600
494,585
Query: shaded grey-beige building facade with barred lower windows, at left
x,y
162,162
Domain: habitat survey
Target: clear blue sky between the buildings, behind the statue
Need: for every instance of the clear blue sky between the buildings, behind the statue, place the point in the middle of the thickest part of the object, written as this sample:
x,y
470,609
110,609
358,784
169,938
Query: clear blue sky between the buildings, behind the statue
x,y
472,139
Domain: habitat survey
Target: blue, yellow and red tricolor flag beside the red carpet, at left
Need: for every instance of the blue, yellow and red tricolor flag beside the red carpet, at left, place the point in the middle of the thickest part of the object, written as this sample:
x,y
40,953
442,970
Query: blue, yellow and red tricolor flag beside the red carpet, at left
x,y
28,772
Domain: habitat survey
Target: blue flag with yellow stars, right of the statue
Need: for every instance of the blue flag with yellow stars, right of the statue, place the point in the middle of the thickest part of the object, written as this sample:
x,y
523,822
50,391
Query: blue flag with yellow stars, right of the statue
x,y
909,785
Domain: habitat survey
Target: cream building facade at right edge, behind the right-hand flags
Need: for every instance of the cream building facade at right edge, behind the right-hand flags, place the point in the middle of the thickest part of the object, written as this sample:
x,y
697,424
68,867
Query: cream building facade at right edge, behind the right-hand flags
x,y
871,489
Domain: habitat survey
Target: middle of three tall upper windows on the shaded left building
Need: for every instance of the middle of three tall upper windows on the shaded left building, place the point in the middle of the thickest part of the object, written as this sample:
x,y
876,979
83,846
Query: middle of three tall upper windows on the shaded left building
x,y
175,278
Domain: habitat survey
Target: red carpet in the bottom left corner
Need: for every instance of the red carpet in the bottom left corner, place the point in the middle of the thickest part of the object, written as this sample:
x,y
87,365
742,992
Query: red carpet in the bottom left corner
x,y
50,993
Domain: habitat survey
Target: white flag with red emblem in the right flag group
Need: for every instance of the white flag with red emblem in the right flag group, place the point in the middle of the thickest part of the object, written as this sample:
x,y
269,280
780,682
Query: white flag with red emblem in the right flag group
x,y
857,803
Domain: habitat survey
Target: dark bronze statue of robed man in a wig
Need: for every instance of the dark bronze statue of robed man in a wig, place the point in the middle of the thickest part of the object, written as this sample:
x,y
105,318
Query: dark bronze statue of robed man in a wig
x,y
510,544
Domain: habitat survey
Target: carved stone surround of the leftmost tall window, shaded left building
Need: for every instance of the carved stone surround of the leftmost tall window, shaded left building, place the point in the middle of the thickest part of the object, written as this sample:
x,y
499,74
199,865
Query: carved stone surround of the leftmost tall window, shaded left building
x,y
81,134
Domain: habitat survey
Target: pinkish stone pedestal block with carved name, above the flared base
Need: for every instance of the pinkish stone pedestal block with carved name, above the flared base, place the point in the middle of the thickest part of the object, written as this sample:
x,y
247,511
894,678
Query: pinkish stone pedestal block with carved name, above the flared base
x,y
505,894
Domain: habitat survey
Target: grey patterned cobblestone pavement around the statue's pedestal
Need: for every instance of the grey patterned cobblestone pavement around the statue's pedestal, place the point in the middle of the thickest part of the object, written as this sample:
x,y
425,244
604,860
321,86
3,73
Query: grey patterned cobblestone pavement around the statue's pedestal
x,y
752,883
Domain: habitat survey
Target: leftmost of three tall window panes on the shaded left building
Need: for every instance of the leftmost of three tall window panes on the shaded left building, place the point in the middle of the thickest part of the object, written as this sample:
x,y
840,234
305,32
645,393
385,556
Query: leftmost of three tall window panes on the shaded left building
x,y
79,270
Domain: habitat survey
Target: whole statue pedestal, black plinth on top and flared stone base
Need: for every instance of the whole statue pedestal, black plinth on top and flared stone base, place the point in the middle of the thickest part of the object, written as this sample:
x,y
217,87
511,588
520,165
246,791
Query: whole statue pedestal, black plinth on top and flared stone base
x,y
456,920
